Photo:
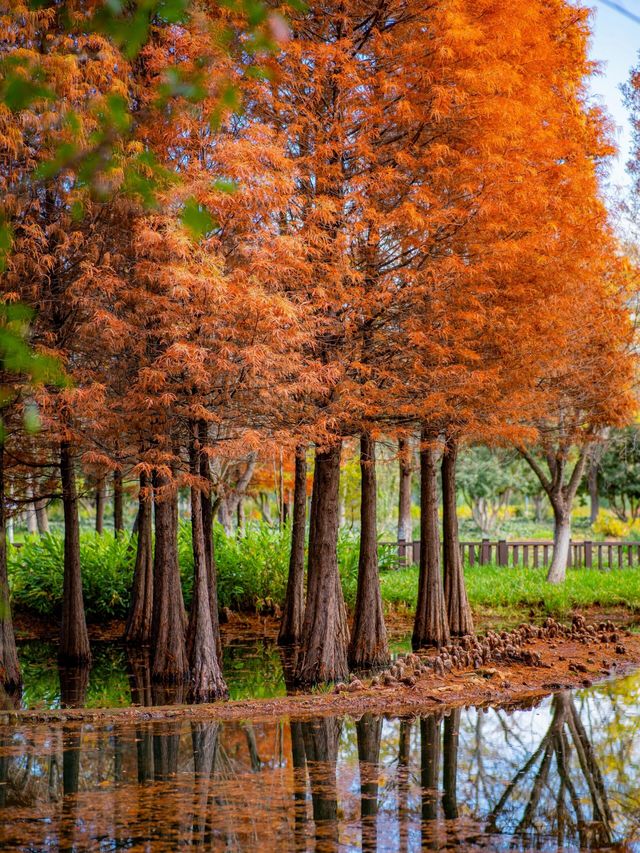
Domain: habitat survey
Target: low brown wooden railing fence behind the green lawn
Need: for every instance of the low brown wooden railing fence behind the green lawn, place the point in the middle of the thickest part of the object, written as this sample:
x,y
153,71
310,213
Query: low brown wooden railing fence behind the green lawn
x,y
587,554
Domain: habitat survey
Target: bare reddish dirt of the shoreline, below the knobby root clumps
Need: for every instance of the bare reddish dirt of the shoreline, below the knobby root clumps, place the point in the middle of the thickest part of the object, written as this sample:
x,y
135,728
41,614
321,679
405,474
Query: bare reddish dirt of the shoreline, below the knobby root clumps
x,y
569,660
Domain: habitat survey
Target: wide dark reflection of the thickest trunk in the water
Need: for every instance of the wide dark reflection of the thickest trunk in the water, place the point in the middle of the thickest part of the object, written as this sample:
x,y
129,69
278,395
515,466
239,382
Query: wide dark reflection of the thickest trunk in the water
x,y
321,738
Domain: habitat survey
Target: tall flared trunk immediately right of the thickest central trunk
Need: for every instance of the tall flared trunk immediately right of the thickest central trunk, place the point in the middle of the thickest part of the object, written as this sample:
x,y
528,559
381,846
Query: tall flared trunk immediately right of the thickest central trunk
x,y
368,647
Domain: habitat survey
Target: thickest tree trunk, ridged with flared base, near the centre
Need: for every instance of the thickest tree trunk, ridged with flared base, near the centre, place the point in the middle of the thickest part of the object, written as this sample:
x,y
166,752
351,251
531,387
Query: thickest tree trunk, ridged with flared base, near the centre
x,y
325,634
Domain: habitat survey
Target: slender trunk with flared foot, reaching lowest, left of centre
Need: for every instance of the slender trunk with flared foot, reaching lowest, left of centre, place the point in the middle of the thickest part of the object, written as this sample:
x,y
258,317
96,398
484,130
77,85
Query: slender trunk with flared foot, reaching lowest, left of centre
x,y
207,682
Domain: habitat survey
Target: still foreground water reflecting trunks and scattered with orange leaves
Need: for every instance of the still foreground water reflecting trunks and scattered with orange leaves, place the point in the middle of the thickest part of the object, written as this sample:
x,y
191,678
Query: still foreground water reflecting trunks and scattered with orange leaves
x,y
563,775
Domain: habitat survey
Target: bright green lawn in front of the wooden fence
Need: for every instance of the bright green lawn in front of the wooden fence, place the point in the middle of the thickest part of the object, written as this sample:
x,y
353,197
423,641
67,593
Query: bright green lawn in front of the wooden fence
x,y
518,589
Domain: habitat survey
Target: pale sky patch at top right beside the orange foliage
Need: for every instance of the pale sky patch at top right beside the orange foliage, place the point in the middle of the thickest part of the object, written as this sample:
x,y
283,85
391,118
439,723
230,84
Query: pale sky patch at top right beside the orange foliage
x,y
616,44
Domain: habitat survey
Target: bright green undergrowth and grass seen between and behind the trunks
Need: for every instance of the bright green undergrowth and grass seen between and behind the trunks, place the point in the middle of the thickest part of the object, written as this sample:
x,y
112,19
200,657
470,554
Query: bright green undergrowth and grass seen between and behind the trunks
x,y
252,575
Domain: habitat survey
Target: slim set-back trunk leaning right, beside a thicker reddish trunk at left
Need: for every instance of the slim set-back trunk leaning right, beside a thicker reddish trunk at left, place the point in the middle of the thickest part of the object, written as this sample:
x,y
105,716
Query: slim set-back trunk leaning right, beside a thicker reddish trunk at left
x,y
138,630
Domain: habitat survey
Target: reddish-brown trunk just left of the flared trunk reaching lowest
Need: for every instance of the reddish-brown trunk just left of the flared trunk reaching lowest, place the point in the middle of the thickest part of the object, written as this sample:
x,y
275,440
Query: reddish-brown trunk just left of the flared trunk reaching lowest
x,y
170,663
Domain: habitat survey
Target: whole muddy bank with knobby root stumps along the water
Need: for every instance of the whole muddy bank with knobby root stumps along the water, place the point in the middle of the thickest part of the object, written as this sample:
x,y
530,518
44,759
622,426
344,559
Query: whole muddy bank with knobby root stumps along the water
x,y
497,669
